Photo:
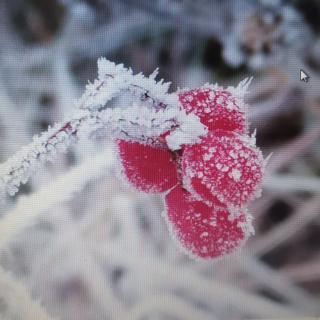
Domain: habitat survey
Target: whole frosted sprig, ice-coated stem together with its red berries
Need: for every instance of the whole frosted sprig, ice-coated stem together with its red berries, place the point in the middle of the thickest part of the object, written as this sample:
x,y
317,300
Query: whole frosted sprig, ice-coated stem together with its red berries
x,y
191,146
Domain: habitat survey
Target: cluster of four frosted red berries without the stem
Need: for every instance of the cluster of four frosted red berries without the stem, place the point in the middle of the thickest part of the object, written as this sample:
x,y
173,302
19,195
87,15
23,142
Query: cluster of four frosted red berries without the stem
x,y
207,185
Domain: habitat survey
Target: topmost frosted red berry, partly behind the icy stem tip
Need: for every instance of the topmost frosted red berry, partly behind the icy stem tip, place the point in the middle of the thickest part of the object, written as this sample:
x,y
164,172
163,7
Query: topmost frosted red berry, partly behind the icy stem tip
x,y
216,108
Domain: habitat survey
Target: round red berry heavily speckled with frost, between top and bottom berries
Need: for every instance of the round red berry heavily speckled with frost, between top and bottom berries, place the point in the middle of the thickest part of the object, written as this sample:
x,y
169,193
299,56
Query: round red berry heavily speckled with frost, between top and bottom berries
x,y
223,165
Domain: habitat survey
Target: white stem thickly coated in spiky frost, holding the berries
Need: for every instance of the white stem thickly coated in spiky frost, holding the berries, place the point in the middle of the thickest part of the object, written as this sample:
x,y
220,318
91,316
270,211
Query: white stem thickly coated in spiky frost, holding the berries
x,y
144,109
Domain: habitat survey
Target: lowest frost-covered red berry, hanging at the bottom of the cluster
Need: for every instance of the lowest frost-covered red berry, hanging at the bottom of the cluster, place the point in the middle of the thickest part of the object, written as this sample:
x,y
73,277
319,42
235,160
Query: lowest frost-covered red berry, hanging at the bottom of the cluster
x,y
204,231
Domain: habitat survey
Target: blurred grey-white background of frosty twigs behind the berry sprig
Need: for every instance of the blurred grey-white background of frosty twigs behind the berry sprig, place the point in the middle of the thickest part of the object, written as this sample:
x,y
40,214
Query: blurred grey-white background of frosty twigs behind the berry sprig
x,y
104,252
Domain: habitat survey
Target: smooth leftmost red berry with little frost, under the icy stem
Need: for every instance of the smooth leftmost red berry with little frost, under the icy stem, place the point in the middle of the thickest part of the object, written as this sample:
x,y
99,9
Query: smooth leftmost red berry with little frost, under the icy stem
x,y
148,168
